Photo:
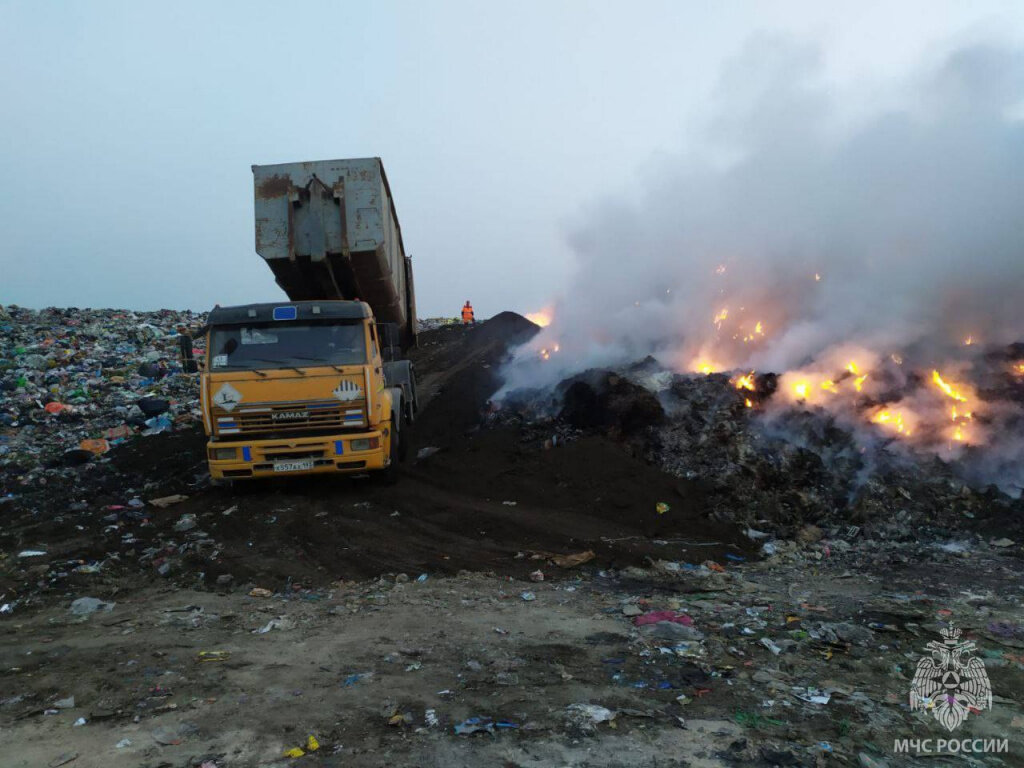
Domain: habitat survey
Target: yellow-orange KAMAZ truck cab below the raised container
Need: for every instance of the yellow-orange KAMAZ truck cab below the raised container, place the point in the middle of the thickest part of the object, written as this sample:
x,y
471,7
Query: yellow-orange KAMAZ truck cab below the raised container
x,y
304,388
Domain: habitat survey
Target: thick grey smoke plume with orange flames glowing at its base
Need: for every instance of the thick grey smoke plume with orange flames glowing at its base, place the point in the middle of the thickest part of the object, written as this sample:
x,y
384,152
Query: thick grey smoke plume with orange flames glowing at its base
x,y
819,242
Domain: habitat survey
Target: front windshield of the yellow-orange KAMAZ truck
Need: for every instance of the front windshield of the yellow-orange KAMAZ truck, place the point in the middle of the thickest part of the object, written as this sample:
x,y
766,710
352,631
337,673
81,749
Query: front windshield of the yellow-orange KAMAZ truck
x,y
281,346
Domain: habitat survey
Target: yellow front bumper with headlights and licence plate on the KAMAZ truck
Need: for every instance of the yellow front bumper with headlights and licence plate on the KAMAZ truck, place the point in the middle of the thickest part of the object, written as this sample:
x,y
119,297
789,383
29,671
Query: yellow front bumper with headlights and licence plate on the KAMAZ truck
x,y
300,456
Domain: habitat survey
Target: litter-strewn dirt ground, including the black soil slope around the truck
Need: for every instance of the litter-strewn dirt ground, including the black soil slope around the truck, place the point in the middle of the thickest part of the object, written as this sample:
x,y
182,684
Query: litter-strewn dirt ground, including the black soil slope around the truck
x,y
804,658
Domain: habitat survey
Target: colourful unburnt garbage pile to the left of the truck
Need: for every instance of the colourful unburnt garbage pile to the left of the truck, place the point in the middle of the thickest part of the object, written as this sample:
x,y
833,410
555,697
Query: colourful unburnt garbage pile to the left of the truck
x,y
75,383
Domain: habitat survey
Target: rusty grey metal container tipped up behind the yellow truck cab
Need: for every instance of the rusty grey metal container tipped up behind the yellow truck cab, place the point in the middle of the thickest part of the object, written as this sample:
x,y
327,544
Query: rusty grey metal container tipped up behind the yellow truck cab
x,y
328,230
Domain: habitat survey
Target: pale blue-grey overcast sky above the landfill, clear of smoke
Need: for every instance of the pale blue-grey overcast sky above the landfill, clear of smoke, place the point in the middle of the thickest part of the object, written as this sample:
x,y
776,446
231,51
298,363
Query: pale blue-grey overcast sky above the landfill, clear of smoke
x,y
129,129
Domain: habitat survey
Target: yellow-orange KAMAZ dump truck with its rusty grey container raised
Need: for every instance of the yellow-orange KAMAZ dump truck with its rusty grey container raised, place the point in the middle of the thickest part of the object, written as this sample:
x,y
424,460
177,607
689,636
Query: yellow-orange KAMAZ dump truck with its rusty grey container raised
x,y
317,383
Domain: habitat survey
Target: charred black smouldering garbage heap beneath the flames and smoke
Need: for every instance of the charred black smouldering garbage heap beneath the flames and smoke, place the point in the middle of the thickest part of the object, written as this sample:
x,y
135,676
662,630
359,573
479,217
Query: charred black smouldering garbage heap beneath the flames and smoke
x,y
800,468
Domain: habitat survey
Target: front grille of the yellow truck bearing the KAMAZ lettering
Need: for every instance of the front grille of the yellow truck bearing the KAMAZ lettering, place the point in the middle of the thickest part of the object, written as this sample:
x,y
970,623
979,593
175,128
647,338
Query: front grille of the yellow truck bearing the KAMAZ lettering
x,y
292,417
